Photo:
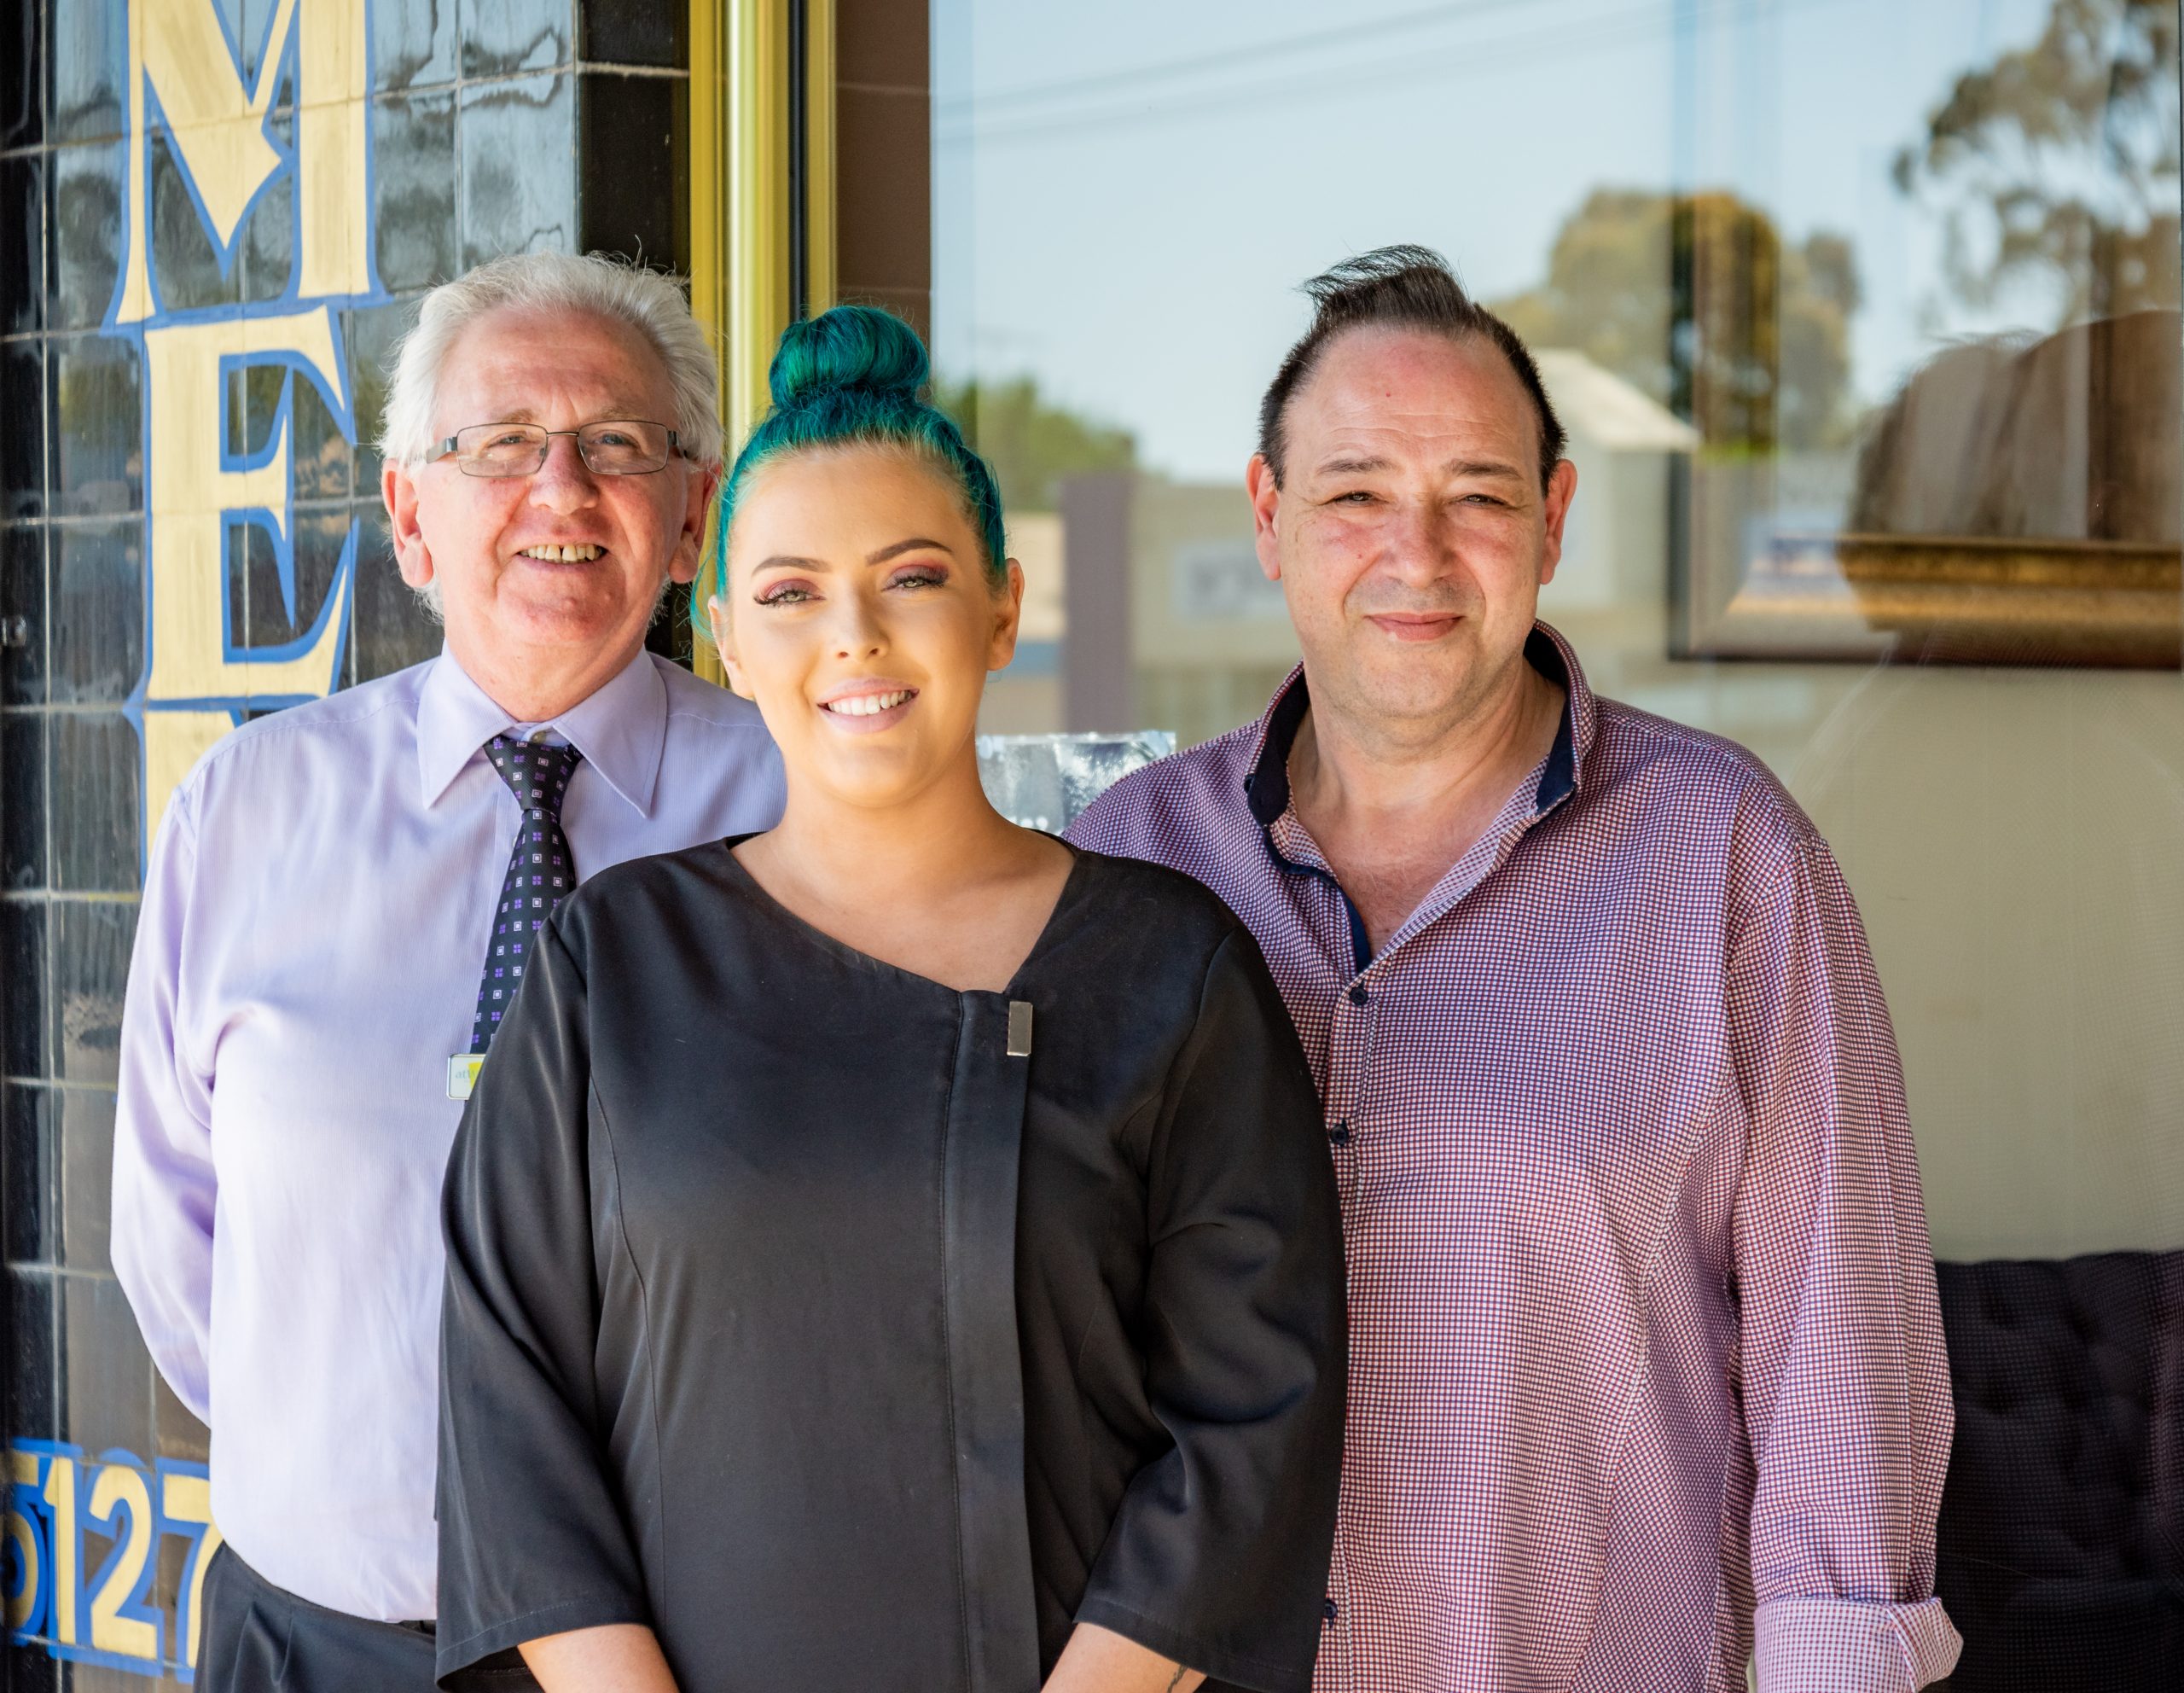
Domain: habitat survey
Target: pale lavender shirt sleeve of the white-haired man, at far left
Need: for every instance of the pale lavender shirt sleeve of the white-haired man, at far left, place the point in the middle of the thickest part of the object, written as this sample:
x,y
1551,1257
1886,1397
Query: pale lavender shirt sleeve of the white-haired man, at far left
x,y
165,1183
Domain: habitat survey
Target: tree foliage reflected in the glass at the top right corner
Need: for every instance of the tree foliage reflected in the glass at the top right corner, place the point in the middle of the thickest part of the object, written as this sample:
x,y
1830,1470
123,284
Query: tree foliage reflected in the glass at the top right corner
x,y
2058,163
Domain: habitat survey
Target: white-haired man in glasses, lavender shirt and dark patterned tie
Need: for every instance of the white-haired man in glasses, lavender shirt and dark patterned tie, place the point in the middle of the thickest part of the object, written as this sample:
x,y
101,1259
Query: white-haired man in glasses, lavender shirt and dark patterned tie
x,y
337,912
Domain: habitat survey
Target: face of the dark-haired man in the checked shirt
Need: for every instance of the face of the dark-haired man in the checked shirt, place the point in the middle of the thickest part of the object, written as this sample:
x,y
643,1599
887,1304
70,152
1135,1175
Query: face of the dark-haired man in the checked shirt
x,y
1412,530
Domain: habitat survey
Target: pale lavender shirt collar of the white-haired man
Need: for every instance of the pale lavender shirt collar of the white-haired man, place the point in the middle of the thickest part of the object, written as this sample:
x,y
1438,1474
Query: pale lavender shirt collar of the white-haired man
x,y
621,729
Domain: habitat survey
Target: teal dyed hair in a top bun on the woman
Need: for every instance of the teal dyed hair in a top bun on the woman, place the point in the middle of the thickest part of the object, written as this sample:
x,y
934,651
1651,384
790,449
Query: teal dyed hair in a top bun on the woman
x,y
857,377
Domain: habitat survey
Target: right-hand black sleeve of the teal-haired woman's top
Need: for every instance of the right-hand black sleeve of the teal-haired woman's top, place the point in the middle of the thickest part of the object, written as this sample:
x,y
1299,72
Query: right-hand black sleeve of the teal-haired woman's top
x,y
1220,1552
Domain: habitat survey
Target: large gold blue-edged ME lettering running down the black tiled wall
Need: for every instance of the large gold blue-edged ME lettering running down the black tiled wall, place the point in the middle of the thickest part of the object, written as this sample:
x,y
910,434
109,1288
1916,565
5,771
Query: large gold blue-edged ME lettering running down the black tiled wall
x,y
189,95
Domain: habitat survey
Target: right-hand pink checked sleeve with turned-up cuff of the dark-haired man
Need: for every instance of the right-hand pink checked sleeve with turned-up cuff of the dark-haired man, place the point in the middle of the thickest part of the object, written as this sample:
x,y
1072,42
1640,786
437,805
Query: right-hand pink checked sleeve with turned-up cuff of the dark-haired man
x,y
1842,1362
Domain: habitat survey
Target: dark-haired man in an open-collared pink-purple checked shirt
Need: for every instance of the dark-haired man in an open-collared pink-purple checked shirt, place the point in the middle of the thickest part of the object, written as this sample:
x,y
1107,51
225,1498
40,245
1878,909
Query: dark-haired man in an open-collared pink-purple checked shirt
x,y
1648,1369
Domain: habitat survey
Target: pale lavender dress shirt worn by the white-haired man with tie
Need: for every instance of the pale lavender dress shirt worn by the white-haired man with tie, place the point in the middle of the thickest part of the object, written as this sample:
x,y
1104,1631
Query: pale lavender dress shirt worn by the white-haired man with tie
x,y
307,962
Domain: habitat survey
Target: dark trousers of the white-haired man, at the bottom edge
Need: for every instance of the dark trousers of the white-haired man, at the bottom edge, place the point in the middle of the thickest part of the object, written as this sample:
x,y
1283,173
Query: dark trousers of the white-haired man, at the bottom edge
x,y
263,1639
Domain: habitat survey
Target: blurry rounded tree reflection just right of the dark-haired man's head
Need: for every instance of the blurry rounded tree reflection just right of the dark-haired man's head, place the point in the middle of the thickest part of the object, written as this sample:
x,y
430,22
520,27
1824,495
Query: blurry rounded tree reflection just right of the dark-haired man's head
x,y
1702,305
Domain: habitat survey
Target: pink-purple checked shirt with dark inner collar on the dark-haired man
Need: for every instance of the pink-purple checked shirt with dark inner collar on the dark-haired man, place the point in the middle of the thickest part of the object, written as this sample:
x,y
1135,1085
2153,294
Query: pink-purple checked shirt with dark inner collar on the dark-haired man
x,y
1646,1358
